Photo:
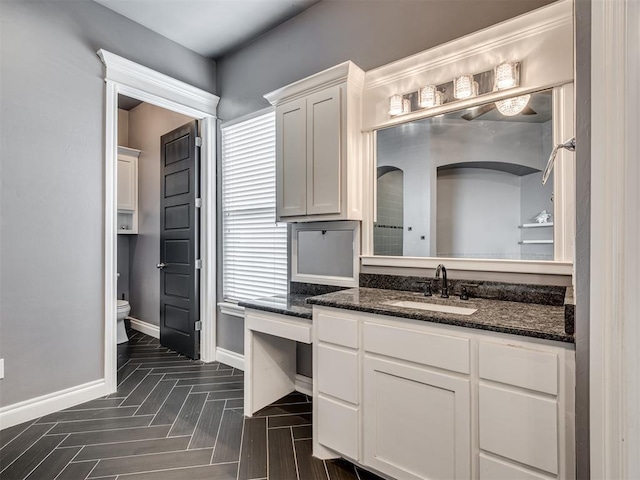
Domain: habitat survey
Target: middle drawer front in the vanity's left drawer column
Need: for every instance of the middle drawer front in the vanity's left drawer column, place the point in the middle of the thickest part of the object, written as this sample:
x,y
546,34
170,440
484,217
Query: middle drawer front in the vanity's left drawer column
x,y
338,373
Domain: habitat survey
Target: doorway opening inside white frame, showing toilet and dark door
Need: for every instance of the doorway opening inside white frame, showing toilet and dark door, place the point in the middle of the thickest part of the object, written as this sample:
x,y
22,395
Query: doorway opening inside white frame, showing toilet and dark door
x,y
157,186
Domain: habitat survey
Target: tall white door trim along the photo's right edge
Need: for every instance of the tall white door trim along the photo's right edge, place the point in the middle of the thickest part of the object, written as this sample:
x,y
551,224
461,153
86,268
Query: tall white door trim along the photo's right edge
x,y
614,331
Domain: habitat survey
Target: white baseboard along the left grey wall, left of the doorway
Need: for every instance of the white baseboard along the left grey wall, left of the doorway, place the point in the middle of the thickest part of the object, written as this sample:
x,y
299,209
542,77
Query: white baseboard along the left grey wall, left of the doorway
x,y
52,402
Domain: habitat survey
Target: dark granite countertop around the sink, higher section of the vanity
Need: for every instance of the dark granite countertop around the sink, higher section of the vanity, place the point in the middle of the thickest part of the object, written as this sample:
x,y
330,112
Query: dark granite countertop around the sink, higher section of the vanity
x,y
516,318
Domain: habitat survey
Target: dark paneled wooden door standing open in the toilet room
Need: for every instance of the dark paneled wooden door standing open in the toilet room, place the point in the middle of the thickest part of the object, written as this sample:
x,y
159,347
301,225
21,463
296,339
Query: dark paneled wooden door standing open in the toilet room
x,y
179,238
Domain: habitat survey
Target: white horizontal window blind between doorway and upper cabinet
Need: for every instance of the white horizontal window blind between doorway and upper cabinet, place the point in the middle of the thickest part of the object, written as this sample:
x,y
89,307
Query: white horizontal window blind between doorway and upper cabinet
x,y
254,246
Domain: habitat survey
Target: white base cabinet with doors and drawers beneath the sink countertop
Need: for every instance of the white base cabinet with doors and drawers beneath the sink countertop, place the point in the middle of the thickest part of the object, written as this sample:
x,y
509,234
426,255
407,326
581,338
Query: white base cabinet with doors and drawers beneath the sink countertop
x,y
419,400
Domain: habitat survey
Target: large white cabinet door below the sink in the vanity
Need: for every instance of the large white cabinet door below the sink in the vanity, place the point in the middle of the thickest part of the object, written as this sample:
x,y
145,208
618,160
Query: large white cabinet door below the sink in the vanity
x,y
416,422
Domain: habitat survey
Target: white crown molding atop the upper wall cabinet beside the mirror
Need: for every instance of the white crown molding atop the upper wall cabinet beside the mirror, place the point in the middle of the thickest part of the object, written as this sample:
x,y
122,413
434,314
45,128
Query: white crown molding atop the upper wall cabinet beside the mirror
x,y
345,72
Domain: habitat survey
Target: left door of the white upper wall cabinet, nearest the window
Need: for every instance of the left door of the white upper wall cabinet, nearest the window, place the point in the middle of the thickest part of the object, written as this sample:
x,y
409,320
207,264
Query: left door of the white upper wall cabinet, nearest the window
x,y
291,159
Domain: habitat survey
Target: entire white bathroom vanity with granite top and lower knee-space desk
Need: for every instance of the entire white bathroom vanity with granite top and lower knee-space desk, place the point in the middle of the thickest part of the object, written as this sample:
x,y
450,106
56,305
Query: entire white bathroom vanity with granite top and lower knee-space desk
x,y
410,391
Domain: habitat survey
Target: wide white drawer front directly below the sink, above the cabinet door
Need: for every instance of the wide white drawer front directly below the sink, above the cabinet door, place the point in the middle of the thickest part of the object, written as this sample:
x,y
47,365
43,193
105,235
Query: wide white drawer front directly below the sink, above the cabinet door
x,y
427,348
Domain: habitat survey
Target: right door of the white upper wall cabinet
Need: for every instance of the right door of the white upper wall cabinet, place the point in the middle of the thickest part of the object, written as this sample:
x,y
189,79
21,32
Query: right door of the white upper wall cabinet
x,y
324,151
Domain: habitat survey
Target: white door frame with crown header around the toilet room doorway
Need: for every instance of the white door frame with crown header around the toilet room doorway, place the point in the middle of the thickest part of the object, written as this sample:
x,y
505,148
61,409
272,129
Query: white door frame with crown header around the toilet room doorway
x,y
134,80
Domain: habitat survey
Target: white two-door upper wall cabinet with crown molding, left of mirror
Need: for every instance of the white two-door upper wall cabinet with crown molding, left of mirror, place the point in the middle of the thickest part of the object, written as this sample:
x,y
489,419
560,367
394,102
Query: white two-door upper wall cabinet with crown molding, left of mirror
x,y
318,140
